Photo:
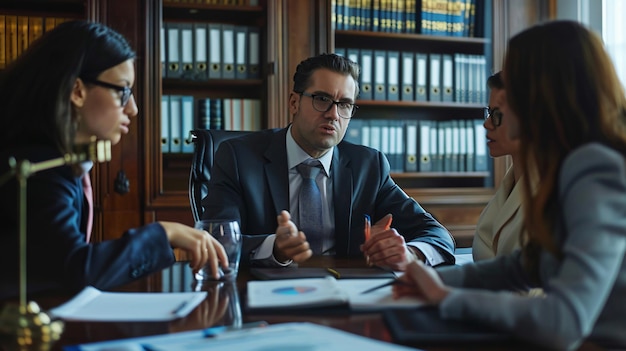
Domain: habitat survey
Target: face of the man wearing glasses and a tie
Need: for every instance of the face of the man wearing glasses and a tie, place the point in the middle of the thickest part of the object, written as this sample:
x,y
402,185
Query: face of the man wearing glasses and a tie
x,y
317,132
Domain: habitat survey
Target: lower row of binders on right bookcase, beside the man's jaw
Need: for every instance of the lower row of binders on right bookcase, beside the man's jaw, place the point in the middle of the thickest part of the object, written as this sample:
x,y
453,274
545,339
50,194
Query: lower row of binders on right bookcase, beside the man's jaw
x,y
425,146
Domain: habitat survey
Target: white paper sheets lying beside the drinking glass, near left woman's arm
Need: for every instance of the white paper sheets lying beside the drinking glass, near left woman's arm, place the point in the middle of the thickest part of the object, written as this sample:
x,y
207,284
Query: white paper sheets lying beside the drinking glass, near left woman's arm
x,y
92,304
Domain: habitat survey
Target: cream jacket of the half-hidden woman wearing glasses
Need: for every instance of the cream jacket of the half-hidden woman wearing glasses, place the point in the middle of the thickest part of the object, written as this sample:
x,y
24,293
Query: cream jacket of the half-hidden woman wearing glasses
x,y
501,223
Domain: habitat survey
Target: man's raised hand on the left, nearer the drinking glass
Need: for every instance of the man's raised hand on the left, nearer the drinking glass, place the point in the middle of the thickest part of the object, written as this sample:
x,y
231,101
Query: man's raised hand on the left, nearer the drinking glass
x,y
290,244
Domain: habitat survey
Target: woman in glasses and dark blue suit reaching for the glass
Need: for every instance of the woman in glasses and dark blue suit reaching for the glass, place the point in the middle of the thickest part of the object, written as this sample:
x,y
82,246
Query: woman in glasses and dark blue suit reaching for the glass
x,y
72,84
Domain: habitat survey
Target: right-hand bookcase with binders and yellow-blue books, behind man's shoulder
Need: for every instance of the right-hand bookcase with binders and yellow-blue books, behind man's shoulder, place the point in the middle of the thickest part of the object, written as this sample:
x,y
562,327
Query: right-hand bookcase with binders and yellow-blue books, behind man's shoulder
x,y
449,183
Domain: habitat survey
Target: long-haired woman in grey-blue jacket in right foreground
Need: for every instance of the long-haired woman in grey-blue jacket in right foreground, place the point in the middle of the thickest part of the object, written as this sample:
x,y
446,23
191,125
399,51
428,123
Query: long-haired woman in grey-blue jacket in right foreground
x,y
569,113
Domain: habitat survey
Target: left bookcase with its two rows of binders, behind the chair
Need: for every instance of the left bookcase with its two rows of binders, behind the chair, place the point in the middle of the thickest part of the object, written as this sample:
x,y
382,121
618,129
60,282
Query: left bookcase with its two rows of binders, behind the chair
x,y
256,87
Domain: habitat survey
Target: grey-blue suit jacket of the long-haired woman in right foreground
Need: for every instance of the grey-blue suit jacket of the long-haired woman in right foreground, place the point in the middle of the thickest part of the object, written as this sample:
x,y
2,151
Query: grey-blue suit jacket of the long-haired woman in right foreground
x,y
584,289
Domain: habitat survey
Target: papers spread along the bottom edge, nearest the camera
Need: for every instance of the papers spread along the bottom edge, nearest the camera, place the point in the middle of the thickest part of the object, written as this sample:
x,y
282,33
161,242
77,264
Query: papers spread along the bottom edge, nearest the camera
x,y
286,336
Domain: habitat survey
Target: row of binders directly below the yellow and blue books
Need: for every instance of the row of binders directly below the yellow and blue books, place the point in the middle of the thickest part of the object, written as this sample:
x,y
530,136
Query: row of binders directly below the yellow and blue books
x,y
419,76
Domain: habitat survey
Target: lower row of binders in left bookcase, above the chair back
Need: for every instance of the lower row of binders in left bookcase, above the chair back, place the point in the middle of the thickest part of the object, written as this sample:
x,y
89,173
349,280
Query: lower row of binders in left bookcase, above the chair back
x,y
180,114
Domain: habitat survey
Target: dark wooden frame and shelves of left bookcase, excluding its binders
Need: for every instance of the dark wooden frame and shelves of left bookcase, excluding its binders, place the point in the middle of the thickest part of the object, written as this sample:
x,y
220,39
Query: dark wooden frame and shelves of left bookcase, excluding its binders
x,y
167,182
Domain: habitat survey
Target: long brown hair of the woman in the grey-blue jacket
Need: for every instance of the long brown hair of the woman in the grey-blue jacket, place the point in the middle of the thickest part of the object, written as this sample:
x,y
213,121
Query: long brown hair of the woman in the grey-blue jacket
x,y
563,86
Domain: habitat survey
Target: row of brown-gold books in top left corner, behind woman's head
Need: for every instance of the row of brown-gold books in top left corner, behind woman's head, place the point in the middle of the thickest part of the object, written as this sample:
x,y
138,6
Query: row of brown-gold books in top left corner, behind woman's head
x,y
18,32
